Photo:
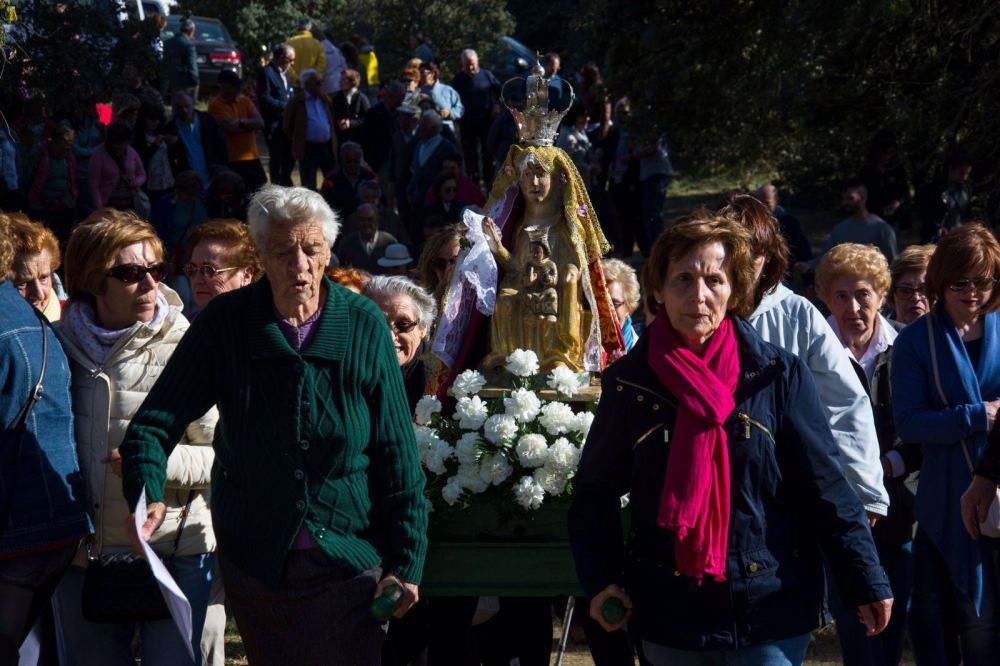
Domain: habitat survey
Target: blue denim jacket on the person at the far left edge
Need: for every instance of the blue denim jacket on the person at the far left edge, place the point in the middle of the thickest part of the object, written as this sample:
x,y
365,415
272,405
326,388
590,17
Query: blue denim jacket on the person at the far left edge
x,y
48,504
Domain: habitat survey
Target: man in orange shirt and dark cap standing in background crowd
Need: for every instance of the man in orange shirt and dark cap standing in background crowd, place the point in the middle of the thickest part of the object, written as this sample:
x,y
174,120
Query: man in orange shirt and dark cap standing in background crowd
x,y
239,120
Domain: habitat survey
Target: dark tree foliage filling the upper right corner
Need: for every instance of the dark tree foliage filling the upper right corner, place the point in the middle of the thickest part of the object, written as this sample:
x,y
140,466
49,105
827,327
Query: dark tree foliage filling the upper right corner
x,y
800,86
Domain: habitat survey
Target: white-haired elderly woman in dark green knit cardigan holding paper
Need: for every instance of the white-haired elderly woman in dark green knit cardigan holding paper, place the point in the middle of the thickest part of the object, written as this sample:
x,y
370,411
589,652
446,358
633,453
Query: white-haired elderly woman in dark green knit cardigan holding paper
x,y
317,489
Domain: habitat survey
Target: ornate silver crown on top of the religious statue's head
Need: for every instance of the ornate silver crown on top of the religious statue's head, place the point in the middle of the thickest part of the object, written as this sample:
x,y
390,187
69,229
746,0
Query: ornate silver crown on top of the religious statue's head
x,y
537,123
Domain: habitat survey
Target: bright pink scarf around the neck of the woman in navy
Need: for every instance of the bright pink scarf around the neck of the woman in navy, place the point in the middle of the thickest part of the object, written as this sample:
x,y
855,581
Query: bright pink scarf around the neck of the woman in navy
x,y
694,502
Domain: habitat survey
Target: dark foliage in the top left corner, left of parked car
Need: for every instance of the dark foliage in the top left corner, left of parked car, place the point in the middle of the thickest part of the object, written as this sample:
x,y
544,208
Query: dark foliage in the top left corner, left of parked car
x,y
62,51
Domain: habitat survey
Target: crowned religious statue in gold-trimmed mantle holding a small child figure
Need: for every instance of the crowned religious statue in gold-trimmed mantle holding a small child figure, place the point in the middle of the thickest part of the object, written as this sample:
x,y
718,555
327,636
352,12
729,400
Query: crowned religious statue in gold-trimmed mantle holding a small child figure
x,y
532,264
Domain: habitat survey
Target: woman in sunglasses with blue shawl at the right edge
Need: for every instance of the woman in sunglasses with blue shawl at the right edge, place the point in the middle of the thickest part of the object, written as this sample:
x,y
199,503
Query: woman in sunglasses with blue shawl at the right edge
x,y
945,387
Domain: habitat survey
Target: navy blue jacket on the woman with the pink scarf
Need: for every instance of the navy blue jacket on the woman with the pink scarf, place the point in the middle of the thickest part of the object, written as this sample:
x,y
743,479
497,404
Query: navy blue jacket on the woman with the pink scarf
x,y
791,507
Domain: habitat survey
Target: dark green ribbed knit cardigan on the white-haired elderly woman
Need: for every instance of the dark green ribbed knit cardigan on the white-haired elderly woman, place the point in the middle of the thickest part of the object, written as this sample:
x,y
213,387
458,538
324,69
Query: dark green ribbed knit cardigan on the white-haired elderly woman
x,y
322,439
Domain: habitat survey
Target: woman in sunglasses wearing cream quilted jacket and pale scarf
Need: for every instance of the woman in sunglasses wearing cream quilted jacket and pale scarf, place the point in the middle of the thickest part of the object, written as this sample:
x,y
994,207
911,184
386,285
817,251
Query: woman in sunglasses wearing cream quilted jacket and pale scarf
x,y
121,326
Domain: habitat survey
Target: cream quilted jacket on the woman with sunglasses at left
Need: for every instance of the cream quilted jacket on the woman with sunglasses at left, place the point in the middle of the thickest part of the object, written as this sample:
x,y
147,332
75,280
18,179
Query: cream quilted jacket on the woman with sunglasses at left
x,y
105,397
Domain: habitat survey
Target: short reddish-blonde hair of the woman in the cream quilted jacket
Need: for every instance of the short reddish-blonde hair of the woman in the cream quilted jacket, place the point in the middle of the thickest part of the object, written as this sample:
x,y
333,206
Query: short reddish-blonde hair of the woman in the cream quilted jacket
x,y
95,243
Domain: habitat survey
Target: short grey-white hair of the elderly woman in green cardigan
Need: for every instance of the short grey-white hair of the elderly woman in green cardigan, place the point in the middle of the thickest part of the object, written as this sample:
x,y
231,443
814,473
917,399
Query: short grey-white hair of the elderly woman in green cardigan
x,y
274,204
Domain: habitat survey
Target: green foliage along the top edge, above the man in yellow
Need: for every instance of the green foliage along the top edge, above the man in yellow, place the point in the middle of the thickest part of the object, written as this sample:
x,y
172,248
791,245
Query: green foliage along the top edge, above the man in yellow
x,y
451,25
